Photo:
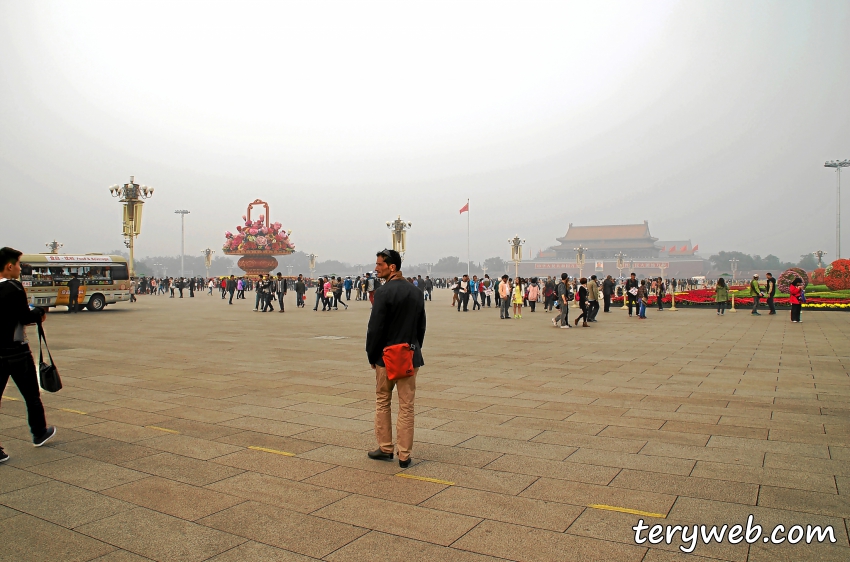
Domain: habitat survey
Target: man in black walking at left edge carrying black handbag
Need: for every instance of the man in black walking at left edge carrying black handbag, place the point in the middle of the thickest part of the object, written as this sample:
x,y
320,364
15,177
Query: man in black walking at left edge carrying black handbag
x,y
16,359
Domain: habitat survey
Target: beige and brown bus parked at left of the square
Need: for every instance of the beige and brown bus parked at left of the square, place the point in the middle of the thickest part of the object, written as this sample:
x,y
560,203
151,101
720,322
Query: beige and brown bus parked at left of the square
x,y
103,279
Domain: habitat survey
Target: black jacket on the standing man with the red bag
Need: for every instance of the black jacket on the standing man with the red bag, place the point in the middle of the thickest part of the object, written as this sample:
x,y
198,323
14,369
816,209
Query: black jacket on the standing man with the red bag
x,y
398,316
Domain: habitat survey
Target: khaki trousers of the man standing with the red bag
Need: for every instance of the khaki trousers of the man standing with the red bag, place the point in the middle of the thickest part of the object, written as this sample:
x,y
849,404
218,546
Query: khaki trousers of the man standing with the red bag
x,y
406,389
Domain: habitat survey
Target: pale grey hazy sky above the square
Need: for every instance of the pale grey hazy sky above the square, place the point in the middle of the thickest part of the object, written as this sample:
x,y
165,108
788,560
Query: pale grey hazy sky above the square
x,y
711,120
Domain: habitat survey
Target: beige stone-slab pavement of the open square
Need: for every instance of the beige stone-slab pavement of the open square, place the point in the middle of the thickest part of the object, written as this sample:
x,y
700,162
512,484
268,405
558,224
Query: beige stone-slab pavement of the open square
x,y
194,430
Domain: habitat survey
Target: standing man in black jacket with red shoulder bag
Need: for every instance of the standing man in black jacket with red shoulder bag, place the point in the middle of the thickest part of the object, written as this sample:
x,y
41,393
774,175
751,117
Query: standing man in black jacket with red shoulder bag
x,y
394,349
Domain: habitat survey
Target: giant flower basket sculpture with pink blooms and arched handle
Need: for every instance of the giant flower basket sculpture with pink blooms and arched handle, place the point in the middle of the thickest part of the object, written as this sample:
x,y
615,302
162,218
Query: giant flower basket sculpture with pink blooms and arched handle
x,y
258,242
